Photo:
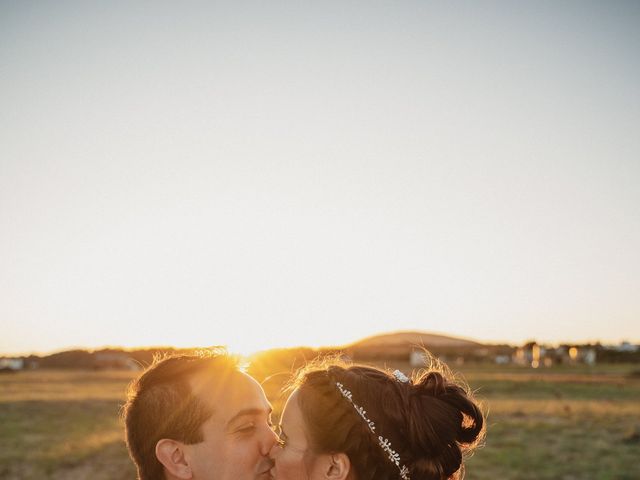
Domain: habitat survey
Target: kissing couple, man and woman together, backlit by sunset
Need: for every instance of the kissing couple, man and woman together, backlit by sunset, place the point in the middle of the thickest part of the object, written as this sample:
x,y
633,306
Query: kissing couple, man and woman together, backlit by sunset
x,y
200,417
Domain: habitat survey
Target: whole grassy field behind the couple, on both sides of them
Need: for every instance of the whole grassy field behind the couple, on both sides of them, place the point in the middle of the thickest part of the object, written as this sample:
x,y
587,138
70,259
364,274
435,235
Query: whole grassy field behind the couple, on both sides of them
x,y
561,423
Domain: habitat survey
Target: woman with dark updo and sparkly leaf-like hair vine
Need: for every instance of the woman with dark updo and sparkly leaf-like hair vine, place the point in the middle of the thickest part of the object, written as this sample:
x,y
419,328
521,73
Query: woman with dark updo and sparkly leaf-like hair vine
x,y
362,423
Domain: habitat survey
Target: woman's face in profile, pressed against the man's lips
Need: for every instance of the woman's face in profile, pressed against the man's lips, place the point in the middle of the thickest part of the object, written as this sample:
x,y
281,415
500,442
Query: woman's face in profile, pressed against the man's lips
x,y
293,459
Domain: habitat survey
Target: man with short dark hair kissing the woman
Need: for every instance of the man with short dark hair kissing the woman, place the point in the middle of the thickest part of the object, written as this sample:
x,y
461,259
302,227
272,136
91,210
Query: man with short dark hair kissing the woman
x,y
198,417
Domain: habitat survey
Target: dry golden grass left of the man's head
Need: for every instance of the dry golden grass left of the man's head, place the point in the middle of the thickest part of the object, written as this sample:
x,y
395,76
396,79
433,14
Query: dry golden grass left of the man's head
x,y
63,424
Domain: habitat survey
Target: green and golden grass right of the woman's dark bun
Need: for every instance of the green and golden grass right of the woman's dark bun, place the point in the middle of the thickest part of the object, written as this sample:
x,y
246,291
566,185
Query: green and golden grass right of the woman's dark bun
x,y
559,424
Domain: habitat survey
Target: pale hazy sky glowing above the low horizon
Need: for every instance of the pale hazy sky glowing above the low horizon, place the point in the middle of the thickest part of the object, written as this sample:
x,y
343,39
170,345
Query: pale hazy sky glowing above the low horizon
x,y
267,174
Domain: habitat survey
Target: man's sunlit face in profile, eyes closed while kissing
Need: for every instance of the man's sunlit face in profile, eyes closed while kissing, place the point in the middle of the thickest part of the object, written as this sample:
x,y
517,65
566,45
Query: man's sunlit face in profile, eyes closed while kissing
x,y
238,436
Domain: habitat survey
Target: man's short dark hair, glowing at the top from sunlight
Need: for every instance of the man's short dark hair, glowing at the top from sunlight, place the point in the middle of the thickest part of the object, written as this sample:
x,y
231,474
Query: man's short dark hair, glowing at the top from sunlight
x,y
161,404
